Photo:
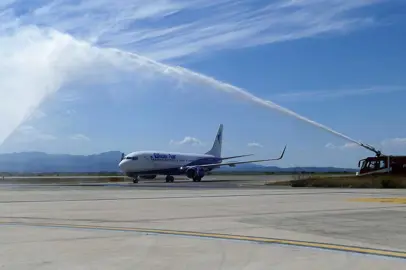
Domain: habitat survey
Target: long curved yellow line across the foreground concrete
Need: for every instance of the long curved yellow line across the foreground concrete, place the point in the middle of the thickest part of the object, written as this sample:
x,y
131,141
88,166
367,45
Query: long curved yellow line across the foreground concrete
x,y
263,240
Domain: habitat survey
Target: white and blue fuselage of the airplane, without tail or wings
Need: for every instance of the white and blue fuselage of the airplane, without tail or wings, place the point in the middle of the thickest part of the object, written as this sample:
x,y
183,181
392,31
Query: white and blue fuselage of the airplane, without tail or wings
x,y
157,162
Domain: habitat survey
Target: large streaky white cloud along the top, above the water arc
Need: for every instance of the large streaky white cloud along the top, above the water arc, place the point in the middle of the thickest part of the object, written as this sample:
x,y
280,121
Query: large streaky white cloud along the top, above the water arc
x,y
161,30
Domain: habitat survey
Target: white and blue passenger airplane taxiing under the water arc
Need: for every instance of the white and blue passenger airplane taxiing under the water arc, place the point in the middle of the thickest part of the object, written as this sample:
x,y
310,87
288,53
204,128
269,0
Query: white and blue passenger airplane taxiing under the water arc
x,y
149,164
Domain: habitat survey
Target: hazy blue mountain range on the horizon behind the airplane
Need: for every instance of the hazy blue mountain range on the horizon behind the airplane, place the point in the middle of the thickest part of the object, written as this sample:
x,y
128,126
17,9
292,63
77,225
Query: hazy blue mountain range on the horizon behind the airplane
x,y
38,162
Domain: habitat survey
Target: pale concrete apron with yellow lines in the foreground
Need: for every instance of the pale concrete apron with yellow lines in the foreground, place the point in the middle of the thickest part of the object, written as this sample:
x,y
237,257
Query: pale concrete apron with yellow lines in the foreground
x,y
216,224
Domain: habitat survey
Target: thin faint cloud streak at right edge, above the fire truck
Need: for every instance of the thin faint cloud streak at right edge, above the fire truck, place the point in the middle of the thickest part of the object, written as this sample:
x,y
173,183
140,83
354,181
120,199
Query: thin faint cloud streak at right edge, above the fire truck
x,y
336,93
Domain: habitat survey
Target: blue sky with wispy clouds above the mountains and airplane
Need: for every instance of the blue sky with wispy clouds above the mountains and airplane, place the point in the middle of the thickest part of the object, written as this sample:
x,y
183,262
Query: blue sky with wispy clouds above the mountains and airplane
x,y
84,77
